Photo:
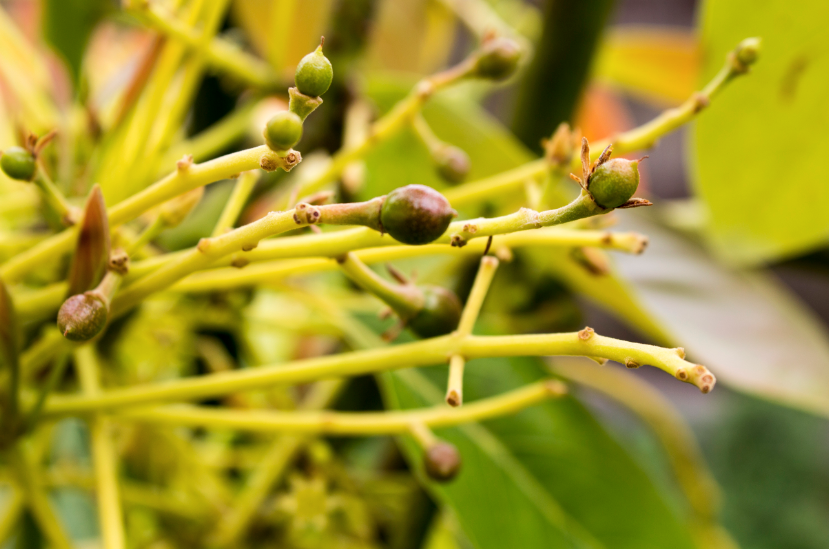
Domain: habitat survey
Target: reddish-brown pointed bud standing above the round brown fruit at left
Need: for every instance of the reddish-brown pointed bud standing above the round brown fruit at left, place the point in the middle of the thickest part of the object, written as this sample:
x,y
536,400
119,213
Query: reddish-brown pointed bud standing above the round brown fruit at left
x,y
92,250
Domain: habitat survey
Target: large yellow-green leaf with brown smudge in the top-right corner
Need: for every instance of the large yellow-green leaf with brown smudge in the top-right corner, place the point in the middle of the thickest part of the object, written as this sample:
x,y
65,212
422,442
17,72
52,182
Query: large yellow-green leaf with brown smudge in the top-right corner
x,y
758,151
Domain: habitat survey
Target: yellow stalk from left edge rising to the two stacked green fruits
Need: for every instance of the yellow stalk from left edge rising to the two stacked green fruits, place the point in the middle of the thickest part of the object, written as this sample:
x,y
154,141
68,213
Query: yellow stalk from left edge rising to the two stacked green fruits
x,y
176,183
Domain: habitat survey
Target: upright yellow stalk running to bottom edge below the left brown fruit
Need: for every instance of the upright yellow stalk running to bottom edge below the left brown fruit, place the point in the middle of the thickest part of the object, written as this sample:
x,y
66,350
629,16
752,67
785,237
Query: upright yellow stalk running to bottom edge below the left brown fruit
x,y
110,514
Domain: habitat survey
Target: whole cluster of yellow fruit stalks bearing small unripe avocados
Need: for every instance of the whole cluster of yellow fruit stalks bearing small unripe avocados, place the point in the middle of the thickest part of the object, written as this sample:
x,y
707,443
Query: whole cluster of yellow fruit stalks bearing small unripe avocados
x,y
410,221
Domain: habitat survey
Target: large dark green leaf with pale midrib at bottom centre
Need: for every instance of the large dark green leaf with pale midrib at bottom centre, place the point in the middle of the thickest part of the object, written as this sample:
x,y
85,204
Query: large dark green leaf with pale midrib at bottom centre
x,y
553,476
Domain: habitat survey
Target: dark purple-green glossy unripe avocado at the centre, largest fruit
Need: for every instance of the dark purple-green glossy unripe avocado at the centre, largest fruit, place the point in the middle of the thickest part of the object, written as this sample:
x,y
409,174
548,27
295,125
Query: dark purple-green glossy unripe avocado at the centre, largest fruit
x,y
416,214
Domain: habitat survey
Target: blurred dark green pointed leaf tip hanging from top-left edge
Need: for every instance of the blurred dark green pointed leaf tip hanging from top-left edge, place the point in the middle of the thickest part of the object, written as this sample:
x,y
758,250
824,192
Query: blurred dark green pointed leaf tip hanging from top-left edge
x,y
67,26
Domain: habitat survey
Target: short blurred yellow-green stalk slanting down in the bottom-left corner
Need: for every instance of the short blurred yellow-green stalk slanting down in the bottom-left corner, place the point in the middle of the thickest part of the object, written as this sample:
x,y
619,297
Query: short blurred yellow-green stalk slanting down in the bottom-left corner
x,y
36,499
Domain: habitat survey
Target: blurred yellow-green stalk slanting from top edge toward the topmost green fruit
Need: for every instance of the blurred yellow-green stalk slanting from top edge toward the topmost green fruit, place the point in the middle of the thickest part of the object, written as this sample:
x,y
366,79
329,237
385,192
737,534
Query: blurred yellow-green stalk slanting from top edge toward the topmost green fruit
x,y
219,53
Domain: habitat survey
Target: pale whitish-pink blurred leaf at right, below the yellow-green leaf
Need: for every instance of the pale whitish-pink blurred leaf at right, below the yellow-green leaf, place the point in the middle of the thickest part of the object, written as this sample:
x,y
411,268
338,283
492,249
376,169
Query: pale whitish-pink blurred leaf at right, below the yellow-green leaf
x,y
747,329
